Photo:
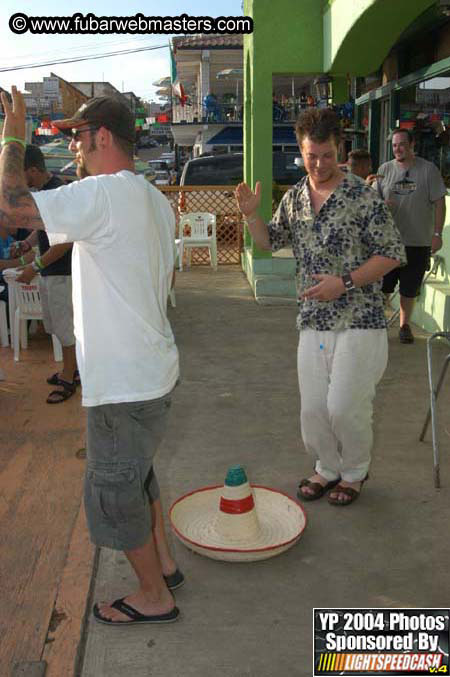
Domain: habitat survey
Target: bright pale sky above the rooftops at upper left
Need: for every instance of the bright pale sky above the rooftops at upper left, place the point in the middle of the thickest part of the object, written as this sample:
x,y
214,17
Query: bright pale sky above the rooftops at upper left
x,y
132,72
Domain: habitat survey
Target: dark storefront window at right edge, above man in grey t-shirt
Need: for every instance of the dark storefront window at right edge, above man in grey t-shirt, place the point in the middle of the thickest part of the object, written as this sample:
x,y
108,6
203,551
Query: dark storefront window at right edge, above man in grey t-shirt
x,y
424,108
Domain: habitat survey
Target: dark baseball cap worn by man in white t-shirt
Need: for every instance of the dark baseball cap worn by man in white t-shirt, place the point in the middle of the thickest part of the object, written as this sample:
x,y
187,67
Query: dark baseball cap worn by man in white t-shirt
x,y
104,111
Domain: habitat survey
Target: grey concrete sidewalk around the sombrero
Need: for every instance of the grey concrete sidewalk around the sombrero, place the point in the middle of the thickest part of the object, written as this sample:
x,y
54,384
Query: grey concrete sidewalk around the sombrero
x,y
238,403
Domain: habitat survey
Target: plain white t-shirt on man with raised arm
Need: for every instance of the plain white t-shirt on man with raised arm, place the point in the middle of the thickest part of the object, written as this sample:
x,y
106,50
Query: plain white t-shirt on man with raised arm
x,y
122,264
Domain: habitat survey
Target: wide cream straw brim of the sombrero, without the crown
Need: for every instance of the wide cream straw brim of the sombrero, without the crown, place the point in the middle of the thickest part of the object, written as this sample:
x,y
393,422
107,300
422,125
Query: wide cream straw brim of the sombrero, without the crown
x,y
194,519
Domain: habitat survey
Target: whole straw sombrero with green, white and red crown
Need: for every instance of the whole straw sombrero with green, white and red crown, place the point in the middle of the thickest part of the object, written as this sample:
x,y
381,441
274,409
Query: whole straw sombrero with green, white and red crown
x,y
237,522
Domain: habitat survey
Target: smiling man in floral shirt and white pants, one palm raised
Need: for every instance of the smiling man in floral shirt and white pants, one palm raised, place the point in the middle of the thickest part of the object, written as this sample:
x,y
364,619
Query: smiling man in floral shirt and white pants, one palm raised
x,y
344,241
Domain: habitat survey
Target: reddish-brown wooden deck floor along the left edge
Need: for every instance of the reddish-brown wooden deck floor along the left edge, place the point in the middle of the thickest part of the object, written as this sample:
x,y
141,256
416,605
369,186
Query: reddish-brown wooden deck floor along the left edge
x,y
40,493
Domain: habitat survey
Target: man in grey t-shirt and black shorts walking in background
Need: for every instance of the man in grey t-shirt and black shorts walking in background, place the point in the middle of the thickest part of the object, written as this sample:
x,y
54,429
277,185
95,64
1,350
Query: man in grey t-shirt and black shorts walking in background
x,y
415,192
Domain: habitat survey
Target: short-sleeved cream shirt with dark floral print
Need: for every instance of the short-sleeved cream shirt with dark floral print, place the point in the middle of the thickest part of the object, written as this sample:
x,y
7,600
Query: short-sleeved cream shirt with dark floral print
x,y
352,225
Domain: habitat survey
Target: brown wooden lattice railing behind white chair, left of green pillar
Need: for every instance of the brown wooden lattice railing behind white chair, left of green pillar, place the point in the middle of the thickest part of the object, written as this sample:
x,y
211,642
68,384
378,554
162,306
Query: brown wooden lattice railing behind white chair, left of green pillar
x,y
218,200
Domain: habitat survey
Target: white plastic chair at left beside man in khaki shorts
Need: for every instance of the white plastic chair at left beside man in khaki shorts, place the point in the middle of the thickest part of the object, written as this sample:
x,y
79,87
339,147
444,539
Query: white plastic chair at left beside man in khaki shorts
x,y
28,307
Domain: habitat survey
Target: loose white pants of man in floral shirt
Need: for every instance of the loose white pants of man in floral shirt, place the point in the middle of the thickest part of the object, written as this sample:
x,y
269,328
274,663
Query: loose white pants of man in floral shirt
x,y
338,372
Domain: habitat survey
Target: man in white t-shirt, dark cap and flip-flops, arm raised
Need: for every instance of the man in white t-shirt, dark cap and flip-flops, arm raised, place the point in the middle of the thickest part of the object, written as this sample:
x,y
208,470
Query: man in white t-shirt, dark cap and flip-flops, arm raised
x,y
123,231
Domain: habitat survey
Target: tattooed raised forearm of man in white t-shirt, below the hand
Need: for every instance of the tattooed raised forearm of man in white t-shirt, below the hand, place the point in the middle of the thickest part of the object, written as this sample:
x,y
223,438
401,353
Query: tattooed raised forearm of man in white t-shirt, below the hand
x,y
17,207
